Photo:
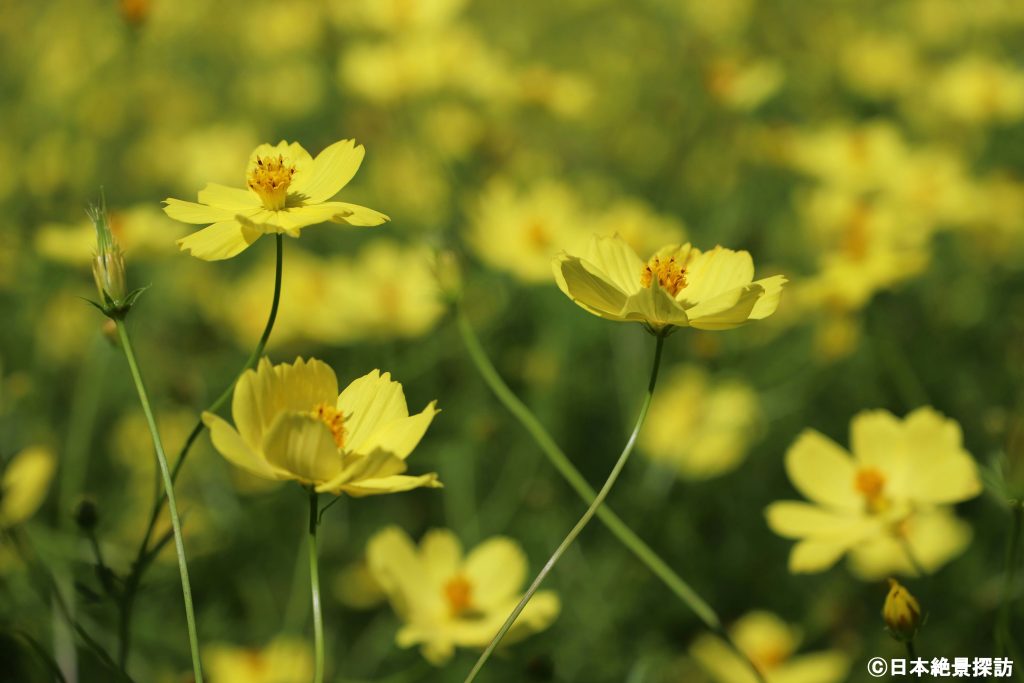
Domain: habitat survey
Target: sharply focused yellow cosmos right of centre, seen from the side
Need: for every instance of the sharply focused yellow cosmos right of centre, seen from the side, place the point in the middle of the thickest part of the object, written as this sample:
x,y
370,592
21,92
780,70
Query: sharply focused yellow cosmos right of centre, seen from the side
x,y
678,286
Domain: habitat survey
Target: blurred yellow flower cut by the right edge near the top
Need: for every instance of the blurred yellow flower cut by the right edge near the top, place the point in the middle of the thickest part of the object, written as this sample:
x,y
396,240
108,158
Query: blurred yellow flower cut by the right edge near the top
x,y
978,91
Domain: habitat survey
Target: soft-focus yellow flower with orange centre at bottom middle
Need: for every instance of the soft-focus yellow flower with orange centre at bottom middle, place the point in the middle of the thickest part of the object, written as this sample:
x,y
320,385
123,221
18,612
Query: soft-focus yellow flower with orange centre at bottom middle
x,y
448,601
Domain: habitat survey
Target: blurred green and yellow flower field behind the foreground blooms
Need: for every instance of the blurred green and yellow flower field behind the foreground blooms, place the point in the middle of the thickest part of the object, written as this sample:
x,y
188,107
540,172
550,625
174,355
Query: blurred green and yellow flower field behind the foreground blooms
x,y
872,152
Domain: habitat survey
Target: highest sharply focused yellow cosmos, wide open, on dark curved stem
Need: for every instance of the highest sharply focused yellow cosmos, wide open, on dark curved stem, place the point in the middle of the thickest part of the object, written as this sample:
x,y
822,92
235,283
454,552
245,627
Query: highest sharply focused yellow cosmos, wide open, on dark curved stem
x,y
287,190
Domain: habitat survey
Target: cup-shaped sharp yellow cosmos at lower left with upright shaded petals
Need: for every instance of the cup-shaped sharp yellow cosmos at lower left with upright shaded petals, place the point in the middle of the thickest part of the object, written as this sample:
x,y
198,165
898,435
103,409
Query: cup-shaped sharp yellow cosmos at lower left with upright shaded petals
x,y
290,423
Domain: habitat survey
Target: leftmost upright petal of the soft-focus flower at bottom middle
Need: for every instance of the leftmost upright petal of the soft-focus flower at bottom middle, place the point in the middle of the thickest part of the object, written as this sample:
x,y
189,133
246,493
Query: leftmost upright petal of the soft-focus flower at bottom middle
x,y
396,566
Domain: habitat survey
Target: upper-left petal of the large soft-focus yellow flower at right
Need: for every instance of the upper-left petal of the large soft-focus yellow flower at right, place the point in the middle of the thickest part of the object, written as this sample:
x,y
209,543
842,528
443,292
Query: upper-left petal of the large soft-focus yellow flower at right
x,y
823,472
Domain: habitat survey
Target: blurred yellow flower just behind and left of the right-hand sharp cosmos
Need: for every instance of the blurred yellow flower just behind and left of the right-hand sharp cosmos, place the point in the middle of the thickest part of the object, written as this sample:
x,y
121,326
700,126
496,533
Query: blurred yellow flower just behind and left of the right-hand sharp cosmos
x,y
521,232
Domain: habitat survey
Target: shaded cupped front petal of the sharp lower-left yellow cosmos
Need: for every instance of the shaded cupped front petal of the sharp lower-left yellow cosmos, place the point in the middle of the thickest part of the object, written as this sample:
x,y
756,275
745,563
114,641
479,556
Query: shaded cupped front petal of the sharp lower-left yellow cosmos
x,y
303,447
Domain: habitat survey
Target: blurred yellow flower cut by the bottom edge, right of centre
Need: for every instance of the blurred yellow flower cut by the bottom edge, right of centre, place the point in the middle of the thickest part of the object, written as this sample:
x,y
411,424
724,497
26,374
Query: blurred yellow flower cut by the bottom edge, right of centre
x,y
771,644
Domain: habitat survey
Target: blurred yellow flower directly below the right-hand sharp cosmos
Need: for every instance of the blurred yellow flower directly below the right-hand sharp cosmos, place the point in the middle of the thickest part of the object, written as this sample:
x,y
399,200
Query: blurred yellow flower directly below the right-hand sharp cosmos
x,y
701,429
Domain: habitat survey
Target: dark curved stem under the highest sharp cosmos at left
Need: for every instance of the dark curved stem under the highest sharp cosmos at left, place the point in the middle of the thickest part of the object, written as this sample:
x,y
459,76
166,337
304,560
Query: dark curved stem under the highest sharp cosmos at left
x,y
147,554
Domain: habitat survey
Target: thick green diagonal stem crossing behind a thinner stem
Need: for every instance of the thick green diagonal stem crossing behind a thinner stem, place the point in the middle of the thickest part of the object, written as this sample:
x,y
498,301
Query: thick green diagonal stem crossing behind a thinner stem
x,y
613,522
